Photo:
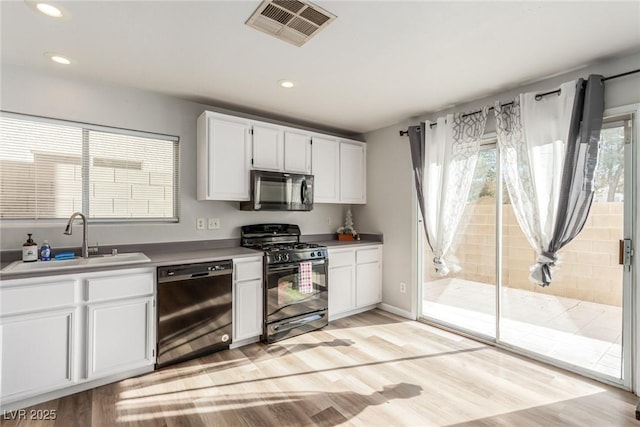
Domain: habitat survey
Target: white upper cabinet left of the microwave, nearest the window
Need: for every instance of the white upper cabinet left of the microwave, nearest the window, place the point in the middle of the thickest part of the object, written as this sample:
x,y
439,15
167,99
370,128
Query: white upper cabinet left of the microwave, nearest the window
x,y
224,157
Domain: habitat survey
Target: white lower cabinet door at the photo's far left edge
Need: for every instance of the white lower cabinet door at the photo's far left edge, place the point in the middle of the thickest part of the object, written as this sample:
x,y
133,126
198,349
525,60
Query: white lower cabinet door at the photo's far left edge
x,y
37,352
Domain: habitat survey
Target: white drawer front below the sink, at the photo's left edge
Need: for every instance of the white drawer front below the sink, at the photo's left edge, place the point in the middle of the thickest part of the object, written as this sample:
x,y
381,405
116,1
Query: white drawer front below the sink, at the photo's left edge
x,y
35,297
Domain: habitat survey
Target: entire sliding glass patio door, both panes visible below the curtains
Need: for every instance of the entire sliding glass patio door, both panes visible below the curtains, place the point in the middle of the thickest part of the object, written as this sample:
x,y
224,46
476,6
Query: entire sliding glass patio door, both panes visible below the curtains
x,y
582,320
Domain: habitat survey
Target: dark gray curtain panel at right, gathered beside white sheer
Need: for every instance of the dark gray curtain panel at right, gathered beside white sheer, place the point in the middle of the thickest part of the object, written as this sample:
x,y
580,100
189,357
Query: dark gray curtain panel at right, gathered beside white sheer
x,y
580,163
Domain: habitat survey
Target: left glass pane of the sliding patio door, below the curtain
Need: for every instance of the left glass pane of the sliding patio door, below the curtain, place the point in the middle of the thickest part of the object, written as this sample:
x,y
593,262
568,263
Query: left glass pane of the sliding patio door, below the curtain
x,y
466,299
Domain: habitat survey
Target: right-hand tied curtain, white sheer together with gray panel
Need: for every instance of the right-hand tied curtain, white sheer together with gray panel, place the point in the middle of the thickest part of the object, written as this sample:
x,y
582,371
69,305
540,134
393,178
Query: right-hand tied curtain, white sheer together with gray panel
x,y
548,152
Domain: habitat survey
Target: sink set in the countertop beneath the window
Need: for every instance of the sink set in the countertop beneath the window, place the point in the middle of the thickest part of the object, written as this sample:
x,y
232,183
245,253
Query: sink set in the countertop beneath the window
x,y
98,261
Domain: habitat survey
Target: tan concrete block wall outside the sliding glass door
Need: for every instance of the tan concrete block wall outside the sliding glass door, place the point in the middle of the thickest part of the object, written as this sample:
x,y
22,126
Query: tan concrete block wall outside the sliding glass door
x,y
587,269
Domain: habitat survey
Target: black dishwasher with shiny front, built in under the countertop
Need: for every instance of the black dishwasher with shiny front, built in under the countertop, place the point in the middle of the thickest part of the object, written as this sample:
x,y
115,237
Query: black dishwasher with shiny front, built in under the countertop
x,y
194,310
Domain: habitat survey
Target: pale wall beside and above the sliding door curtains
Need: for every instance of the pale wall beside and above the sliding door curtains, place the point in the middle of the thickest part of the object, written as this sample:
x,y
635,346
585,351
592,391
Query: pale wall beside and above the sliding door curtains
x,y
391,199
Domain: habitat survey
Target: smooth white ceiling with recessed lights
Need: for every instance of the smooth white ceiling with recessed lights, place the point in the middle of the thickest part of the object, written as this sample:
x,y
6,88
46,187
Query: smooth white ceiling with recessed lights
x,y
379,63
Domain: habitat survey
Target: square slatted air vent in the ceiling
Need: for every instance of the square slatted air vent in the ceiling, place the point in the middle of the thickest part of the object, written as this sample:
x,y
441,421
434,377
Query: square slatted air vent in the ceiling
x,y
294,21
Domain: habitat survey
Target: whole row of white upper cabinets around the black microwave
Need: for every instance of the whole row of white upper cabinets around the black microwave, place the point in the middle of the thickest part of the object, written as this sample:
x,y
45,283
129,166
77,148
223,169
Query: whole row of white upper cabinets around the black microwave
x,y
229,147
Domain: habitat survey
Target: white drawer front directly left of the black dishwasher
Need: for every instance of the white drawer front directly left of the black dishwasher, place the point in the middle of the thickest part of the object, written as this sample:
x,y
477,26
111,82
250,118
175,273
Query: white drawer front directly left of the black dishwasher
x,y
124,286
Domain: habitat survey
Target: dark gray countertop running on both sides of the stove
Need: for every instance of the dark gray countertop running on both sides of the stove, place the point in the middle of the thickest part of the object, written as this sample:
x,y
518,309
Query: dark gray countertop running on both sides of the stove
x,y
169,254
